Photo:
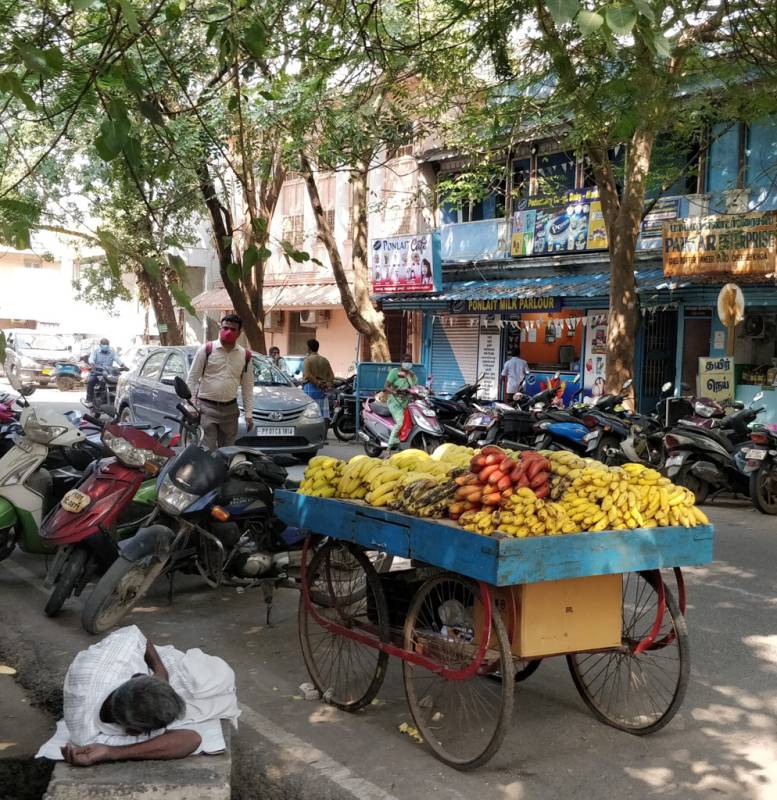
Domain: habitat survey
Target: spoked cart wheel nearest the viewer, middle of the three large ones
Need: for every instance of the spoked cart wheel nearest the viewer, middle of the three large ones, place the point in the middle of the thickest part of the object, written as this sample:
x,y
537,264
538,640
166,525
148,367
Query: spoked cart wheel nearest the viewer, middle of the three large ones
x,y
463,721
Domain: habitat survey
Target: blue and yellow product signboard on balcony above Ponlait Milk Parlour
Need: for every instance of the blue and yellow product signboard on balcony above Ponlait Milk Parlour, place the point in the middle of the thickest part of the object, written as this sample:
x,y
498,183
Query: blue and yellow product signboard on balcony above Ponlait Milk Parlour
x,y
565,223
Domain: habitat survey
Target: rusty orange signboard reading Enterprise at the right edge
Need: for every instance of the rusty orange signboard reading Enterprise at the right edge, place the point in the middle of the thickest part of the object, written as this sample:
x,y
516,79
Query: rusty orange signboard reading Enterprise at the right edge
x,y
735,244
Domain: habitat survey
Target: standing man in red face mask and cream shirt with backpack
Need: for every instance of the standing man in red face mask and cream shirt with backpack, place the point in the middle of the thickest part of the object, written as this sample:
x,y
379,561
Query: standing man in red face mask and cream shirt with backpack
x,y
218,370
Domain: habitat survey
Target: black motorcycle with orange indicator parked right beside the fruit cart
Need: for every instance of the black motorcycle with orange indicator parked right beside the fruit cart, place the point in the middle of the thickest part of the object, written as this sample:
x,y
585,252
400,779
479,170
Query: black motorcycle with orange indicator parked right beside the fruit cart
x,y
214,516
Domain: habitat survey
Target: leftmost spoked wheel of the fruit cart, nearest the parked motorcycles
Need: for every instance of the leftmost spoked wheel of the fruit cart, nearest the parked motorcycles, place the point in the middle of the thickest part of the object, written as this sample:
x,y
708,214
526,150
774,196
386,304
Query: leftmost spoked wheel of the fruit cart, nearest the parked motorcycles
x,y
346,592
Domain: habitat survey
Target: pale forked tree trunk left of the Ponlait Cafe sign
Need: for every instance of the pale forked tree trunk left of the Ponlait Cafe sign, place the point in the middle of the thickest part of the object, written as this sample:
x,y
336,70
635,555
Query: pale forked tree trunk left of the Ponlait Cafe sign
x,y
358,307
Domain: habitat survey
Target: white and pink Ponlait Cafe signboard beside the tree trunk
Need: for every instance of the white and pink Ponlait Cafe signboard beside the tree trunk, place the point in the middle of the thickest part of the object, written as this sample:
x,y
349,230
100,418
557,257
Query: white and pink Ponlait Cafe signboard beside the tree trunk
x,y
406,264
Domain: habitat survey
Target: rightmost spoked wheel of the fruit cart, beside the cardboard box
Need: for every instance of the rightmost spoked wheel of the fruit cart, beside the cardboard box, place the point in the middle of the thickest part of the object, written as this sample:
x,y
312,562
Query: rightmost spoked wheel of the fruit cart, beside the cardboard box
x,y
638,689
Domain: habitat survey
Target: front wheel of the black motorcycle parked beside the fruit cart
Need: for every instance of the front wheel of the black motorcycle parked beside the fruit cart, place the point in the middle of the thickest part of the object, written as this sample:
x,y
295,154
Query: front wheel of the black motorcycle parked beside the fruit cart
x,y
119,590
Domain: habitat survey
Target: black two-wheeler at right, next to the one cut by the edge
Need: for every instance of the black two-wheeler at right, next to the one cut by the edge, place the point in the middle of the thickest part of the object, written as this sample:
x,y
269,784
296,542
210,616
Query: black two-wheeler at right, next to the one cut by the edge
x,y
707,460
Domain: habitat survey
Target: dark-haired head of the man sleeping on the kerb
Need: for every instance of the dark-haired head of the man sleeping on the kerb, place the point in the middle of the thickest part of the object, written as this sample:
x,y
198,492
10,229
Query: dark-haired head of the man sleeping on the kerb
x,y
144,704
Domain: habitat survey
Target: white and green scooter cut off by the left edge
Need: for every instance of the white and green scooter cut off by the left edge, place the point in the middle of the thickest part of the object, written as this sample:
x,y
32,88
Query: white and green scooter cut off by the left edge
x,y
26,487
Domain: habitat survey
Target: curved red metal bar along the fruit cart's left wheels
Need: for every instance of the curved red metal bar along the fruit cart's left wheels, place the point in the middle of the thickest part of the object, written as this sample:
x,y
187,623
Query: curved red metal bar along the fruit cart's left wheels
x,y
400,652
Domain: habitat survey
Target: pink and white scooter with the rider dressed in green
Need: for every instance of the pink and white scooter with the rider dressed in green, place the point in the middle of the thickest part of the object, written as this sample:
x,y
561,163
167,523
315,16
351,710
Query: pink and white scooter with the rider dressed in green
x,y
420,429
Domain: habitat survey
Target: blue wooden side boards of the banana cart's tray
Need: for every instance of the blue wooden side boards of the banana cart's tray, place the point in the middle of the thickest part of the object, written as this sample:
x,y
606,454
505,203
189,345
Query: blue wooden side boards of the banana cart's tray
x,y
497,560
